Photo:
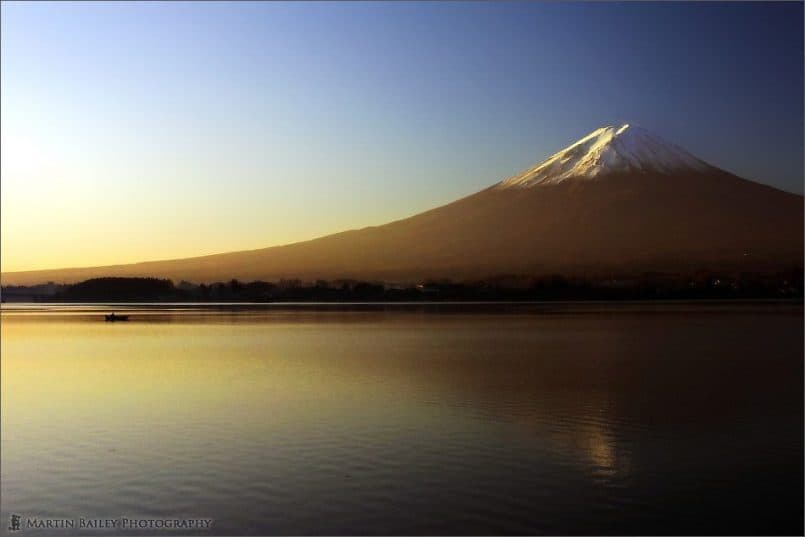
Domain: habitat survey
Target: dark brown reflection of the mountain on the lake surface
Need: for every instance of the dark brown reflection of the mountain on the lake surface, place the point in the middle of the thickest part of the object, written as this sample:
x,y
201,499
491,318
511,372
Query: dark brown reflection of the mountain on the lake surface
x,y
625,389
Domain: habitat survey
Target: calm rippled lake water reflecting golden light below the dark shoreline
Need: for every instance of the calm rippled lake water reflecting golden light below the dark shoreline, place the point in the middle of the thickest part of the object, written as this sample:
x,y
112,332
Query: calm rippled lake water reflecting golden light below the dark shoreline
x,y
558,419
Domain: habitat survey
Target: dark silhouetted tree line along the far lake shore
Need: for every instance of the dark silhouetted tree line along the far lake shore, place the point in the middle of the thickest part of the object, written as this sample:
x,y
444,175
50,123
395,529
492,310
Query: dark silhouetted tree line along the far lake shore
x,y
700,285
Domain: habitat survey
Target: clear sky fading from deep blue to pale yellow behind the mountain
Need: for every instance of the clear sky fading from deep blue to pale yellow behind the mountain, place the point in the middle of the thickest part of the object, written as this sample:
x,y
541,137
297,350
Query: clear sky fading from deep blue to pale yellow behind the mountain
x,y
141,131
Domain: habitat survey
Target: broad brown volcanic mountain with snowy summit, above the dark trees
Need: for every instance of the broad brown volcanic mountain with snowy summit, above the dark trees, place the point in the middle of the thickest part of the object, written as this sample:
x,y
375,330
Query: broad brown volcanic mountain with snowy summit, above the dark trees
x,y
620,199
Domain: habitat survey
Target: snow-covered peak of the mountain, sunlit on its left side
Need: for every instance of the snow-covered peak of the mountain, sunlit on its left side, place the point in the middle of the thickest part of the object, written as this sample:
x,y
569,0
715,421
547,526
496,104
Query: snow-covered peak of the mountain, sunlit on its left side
x,y
609,150
